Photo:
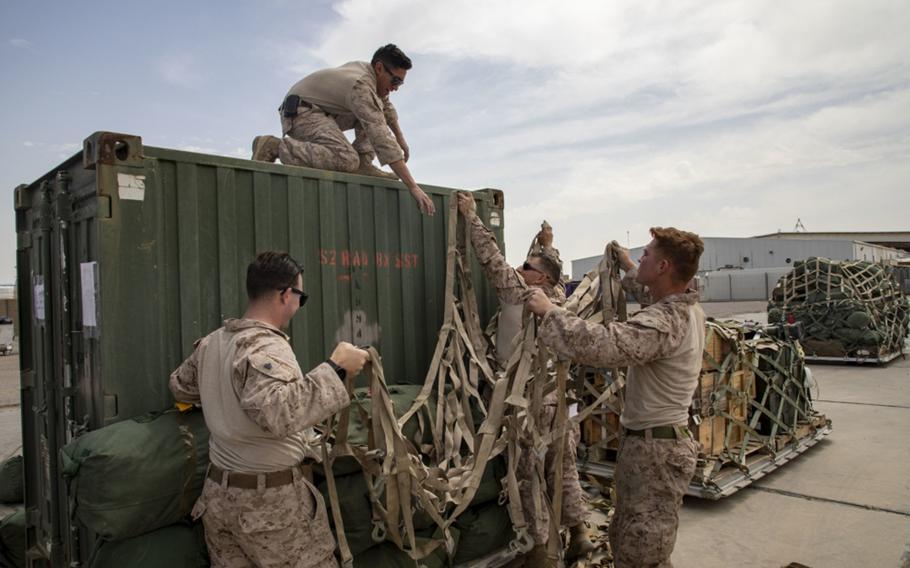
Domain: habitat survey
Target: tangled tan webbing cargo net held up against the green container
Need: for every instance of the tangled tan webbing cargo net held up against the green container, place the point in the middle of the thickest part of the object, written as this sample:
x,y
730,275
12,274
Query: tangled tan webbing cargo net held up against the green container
x,y
427,463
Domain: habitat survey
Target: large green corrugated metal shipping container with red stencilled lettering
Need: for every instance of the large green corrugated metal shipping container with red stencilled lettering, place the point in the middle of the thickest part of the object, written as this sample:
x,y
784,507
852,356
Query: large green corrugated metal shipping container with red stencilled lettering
x,y
127,254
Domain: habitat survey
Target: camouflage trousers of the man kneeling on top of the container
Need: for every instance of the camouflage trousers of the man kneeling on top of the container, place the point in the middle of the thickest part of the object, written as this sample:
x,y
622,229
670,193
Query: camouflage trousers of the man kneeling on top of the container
x,y
316,140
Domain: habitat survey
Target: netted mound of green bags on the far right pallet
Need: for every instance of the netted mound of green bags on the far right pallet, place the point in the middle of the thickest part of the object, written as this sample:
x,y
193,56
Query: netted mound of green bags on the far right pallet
x,y
849,309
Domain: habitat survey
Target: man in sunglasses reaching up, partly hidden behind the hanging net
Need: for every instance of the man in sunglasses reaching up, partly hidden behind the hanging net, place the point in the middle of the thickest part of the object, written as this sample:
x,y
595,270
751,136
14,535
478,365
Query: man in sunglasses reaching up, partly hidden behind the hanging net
x,y
542,271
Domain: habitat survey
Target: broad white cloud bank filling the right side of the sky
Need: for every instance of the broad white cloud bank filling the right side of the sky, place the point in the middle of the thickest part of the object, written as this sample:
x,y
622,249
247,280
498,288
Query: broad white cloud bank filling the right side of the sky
x,y
729,118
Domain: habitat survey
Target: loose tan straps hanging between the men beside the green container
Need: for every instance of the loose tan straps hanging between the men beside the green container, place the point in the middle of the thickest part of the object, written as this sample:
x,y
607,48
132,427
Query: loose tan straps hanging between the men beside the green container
x,y
461,377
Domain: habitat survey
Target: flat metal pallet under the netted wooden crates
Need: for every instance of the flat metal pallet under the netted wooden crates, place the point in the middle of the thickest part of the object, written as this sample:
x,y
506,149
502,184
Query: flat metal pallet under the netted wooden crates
x,y
730,478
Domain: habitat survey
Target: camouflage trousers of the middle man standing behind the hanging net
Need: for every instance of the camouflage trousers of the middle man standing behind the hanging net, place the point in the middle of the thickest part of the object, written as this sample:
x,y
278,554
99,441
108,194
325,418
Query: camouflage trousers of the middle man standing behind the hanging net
x,y
574,506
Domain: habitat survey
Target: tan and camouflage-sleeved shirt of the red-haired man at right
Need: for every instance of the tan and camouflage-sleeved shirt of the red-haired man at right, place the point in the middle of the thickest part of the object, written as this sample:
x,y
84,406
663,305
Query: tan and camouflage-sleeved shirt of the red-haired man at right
x,y
662,345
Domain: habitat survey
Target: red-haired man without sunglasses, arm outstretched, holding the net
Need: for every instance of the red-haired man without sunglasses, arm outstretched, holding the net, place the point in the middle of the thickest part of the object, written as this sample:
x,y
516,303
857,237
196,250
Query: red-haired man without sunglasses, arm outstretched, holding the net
x,y
662,345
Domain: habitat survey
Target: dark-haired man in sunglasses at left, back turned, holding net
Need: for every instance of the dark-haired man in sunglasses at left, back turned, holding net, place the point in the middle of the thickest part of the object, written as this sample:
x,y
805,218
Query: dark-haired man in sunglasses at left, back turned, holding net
x,y
258,505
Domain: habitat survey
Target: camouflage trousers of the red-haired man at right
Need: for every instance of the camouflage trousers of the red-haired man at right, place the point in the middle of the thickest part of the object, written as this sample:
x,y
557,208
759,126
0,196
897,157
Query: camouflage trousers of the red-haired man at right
x,y
651,478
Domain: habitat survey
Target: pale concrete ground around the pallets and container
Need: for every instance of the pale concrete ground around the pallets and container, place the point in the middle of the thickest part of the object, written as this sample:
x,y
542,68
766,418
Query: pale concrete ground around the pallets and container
x,y
844,503
